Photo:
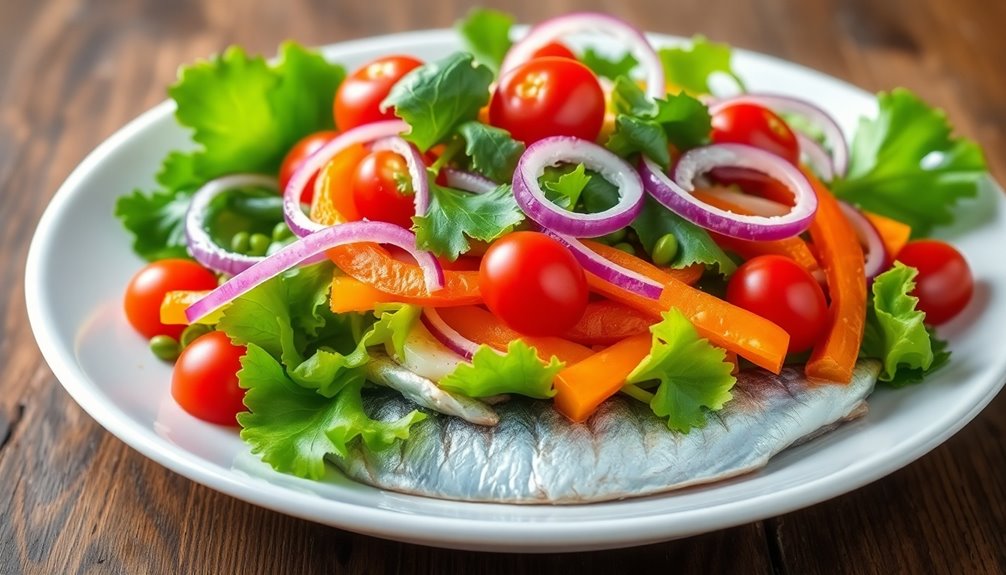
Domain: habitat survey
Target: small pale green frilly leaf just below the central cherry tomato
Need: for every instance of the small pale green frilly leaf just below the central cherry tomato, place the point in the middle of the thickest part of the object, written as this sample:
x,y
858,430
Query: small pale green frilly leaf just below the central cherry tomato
x,y
492,373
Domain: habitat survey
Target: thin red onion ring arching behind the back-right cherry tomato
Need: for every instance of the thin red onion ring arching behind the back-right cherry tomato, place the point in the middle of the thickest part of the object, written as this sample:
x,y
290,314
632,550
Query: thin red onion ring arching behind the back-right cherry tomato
x,y
833,135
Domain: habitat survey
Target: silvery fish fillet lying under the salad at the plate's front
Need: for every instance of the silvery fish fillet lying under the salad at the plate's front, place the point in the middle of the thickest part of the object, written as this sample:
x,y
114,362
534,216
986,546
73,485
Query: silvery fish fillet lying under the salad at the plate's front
x,y
536,456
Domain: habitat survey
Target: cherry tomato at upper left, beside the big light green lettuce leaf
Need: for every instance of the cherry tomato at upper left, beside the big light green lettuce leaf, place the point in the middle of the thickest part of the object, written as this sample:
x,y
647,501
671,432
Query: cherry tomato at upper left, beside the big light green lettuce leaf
x,y
358,102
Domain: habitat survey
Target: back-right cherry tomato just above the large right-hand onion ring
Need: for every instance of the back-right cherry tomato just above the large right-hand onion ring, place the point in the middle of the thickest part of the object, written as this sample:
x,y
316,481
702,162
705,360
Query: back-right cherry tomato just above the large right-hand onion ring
x,y
756,126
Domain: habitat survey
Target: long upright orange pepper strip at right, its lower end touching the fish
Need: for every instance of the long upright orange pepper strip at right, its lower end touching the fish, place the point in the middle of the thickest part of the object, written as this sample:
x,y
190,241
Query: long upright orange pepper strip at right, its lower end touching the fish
x,y
834,356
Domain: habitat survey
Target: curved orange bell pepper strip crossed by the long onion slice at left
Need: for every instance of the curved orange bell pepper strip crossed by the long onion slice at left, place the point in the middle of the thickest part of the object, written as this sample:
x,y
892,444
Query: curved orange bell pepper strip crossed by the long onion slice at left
x,y
372,264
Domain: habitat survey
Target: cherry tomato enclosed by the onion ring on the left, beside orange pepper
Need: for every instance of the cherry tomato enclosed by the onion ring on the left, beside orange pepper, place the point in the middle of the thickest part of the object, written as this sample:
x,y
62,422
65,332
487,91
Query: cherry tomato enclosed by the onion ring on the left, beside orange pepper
x,y
383,190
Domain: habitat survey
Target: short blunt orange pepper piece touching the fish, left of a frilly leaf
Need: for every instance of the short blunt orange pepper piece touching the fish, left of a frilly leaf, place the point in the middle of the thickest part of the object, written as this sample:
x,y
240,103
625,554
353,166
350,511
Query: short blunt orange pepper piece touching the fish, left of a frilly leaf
x,y
582,388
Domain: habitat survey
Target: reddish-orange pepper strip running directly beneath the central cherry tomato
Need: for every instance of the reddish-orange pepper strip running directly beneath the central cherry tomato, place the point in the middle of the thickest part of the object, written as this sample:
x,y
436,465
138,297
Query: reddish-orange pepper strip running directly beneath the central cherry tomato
x,y
482,327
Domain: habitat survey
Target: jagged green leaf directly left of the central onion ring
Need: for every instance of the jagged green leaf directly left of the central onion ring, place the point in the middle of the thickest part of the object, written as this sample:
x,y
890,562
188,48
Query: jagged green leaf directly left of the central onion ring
x,y
454,217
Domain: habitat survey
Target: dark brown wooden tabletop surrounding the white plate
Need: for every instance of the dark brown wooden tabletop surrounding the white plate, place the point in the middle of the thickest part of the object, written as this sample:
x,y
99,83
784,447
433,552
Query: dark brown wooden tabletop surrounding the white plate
x,y
75,499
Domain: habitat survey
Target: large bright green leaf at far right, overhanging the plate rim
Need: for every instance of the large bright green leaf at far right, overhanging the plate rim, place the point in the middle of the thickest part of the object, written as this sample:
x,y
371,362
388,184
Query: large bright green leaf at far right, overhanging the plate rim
x,y
906,164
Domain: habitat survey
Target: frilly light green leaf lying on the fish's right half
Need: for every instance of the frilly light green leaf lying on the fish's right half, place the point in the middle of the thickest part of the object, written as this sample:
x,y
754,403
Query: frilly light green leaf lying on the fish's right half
x,y
695,375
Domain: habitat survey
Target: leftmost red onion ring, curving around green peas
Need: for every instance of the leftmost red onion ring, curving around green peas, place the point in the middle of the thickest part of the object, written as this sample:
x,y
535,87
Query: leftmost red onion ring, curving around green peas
x,y
201,245
